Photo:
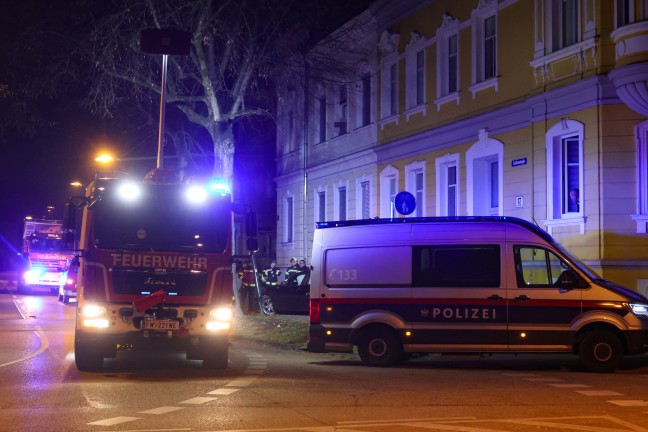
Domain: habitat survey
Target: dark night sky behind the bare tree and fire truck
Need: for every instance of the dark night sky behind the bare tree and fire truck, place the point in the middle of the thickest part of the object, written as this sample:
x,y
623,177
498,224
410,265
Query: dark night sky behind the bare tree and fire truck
x,y
48,138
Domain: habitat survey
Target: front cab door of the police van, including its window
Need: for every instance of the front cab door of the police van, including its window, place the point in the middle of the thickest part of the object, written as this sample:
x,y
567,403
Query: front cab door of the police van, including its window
x,y
541,304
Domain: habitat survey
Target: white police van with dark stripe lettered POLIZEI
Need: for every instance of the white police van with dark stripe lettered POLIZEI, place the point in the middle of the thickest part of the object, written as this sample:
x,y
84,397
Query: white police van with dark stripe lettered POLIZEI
x,y
393,287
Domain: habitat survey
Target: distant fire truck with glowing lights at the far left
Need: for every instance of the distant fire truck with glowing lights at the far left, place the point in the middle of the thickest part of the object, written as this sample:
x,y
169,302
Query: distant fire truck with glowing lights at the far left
x,y
44,255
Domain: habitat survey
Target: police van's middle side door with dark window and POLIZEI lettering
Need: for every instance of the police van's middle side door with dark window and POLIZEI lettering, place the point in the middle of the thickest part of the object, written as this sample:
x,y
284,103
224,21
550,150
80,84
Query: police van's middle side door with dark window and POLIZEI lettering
x,y
459,297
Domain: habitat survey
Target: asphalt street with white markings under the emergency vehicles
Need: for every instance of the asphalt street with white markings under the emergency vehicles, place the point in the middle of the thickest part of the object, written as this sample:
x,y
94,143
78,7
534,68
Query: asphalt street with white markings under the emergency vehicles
x,y
272,389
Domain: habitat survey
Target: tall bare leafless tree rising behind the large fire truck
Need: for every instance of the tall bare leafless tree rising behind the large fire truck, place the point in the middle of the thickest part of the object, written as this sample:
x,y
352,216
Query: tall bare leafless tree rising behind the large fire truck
x,y
233,49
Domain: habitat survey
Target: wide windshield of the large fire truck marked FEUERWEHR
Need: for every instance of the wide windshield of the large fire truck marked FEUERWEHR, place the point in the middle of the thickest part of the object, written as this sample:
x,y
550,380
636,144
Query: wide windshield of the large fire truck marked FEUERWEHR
x,y
161,220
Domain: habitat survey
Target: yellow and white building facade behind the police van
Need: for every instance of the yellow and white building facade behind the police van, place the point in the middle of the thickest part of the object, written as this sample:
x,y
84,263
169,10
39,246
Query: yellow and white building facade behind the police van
x,y
554,106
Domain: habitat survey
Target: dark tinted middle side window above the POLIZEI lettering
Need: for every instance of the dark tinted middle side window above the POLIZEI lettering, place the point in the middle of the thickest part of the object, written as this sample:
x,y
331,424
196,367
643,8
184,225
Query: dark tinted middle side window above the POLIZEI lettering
x,y
457,266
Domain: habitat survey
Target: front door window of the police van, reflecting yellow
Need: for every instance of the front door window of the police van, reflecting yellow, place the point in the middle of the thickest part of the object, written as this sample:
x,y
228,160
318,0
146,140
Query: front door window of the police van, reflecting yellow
x,y
537,267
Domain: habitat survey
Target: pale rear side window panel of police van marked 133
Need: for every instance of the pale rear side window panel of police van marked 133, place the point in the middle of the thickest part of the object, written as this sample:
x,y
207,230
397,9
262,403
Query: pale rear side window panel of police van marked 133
x,y
369,267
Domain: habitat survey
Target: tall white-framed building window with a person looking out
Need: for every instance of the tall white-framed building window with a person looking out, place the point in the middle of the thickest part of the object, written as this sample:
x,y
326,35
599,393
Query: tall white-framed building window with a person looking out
x,y
565,172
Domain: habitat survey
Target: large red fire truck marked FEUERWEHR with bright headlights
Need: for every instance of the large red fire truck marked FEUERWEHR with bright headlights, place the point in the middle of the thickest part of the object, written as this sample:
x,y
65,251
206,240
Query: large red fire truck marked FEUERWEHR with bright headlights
x,y
155,268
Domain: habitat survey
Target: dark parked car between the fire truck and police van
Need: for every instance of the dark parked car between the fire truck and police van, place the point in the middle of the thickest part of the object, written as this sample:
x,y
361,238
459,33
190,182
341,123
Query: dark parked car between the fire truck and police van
x,y
286,298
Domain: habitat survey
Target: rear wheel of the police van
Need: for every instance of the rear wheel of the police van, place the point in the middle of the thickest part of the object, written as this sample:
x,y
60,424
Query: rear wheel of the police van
x,y
379,347
